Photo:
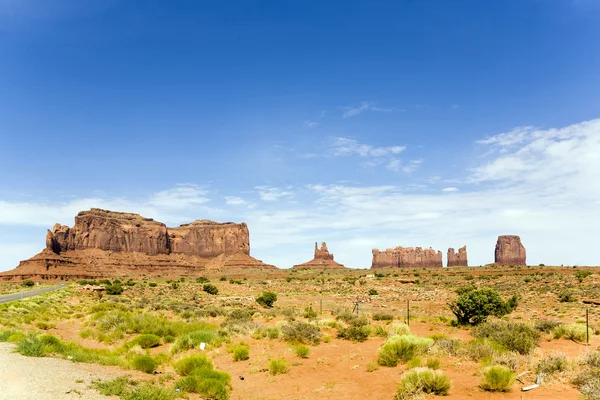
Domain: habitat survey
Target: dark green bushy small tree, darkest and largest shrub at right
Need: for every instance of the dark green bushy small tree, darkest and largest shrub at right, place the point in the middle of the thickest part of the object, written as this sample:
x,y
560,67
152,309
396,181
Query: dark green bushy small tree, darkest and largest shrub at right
x,y
473,306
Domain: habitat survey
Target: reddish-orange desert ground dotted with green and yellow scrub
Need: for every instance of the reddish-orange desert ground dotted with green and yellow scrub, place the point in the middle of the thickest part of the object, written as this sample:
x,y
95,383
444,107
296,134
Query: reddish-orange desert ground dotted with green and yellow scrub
x,y
148,337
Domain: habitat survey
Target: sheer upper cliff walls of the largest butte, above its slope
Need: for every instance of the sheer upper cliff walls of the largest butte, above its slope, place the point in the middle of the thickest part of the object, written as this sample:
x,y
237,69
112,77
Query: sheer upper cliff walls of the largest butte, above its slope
x,y
125,232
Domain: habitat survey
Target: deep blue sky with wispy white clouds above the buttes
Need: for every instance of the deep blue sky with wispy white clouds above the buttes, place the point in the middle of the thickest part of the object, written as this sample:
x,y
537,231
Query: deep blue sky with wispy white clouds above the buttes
x,y
361,123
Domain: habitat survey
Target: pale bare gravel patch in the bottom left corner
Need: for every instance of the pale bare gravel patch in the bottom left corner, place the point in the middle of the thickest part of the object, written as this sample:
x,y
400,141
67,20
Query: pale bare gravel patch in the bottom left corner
x,y
46,378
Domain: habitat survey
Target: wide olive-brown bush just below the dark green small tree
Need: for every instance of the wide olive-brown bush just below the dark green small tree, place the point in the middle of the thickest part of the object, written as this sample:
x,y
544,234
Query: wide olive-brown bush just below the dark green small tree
x,y
514,336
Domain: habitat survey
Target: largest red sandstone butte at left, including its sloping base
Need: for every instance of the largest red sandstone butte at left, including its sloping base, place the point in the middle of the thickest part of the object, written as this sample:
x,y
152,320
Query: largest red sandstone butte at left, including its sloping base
x,y
105,243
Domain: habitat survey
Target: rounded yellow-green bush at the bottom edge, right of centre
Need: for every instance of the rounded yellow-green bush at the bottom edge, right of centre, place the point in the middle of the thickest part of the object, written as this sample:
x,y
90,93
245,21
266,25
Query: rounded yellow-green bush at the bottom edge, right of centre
x,y
423,380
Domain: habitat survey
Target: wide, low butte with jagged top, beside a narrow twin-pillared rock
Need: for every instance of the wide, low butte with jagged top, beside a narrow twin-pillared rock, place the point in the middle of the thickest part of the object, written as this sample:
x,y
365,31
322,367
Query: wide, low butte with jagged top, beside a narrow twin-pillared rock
x,y
407,257
